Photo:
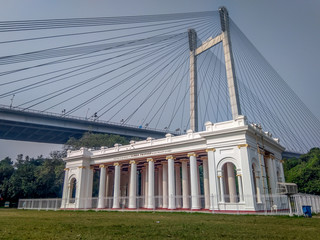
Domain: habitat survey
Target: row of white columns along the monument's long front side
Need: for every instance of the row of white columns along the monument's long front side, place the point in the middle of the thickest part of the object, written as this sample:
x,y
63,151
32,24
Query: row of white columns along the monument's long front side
x,y
168,180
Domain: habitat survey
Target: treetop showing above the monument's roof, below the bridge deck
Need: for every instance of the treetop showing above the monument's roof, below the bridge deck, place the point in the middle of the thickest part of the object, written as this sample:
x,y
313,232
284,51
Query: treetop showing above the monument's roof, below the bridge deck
x,y
91,140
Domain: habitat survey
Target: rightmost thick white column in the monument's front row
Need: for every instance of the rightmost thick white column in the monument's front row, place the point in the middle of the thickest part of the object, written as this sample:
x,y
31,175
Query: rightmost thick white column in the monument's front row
x,y
194,181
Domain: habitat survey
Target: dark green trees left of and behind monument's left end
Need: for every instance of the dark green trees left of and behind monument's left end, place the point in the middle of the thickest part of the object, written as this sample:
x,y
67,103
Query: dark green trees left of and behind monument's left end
x,y
43,177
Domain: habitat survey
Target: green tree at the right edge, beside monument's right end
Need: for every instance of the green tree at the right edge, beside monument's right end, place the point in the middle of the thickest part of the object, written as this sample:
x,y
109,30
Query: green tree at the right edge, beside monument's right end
x,y
305,171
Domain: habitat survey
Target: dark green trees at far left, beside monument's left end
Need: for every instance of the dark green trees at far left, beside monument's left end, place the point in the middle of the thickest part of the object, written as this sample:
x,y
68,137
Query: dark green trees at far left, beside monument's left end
x,y
32,177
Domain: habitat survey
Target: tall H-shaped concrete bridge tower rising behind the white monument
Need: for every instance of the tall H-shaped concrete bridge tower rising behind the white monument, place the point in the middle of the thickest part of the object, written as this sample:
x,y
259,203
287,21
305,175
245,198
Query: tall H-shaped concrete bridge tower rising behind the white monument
x,y
224,37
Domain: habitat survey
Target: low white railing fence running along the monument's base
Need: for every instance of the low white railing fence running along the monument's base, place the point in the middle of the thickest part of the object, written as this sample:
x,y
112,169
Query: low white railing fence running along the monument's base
x,y
269,205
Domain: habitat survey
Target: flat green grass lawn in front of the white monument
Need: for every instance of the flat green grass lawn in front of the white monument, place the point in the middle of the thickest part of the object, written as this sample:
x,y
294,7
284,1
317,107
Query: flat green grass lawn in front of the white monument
x,y
31,224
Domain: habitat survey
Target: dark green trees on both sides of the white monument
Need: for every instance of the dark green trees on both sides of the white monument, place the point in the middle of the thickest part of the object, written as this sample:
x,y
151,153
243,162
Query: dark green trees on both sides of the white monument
x,y
43,177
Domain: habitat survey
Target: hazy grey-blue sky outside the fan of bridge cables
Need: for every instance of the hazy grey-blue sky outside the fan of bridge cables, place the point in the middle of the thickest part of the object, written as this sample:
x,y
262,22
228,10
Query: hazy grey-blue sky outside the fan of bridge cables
x,y
286,32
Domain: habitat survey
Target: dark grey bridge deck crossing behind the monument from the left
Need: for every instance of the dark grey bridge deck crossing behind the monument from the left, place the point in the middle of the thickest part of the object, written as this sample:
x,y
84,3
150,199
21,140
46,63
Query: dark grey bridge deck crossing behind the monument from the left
x,y
35,126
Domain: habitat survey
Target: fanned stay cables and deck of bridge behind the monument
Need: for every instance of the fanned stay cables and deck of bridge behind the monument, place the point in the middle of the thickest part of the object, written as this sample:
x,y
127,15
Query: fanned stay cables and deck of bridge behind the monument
x,y
133,75
